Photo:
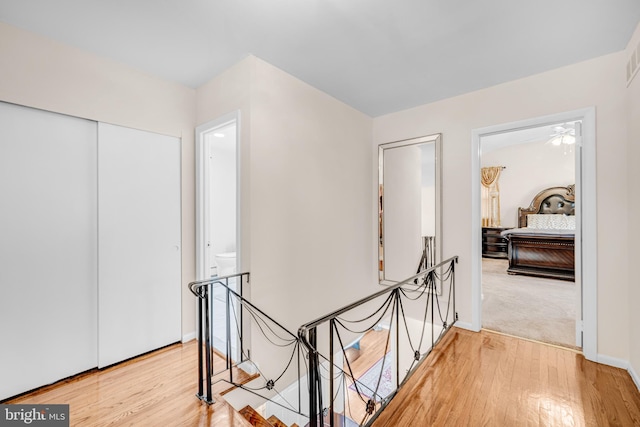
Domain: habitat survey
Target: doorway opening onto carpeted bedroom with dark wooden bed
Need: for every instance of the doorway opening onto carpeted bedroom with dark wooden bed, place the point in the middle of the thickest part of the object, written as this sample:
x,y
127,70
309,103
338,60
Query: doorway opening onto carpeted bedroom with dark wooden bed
x,y
526,292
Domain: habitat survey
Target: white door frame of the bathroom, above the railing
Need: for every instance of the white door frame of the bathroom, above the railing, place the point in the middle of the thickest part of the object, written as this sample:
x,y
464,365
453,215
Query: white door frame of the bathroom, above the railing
x,y
202,193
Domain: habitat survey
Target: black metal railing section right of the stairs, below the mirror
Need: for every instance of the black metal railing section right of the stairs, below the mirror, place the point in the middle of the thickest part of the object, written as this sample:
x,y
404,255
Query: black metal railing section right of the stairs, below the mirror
x,y
361,354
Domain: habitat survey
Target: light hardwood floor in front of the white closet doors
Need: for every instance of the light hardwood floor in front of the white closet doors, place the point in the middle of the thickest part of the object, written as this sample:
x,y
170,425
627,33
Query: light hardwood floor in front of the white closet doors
x,y
157,389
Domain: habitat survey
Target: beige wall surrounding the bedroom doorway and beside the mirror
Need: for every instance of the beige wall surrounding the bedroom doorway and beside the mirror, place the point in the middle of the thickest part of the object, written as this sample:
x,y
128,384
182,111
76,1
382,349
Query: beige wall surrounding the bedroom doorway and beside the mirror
x,y
599,83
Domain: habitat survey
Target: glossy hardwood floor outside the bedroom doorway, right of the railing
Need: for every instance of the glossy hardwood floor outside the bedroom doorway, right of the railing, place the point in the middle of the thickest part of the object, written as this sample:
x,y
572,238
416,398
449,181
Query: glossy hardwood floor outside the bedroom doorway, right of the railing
x,y
488,379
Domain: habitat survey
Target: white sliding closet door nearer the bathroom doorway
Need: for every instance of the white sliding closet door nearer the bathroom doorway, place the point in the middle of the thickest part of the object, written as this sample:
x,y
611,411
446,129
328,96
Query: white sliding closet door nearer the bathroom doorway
x,y
138,242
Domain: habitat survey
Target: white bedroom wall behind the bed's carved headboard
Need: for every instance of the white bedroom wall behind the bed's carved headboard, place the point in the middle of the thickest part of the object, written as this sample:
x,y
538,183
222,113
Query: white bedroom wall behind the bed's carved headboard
x,y
530,168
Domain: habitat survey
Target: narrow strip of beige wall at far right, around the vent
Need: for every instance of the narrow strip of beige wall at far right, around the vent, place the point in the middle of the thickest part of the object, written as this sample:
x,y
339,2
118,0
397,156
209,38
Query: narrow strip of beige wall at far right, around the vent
x,y
633,158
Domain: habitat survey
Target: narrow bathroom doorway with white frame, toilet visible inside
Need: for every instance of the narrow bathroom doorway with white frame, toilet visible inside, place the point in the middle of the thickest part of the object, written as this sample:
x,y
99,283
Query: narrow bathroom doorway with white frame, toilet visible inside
x,y
218,251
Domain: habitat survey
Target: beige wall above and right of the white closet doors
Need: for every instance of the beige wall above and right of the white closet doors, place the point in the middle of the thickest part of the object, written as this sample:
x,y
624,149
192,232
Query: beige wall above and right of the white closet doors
x,y
40,73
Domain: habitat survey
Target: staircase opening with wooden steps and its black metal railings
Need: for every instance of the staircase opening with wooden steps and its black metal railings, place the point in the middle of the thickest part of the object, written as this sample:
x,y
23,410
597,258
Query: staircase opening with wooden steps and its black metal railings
x,y
304,378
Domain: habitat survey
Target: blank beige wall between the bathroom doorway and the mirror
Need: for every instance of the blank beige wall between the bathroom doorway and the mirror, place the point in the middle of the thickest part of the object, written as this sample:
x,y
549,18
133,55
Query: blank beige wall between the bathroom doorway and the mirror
x,y
310,196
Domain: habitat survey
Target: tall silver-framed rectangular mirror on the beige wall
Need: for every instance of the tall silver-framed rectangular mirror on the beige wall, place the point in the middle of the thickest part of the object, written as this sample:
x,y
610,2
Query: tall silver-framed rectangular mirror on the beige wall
x,y
409,208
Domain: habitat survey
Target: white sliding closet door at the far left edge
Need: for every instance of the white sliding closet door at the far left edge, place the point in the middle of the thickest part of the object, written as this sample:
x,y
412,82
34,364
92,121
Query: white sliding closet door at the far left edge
x,y
48,263
